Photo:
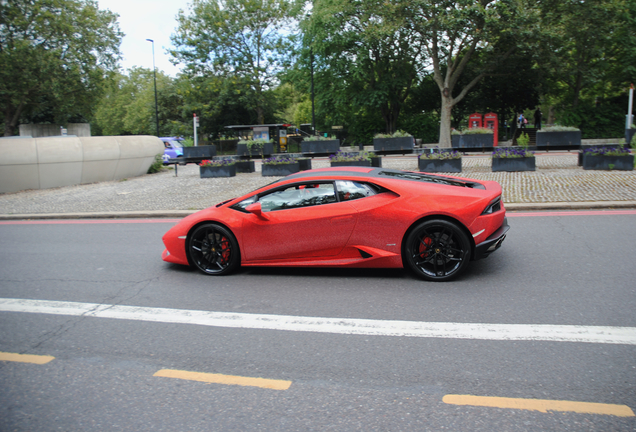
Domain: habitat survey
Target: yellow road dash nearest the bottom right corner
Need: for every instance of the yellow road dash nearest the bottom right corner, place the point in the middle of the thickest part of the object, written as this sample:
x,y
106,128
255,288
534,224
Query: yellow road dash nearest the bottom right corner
x,y
542,405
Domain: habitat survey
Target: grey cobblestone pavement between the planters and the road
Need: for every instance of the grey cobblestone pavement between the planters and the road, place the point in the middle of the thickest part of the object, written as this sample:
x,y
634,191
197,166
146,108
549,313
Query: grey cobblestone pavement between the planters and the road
x,y
558,179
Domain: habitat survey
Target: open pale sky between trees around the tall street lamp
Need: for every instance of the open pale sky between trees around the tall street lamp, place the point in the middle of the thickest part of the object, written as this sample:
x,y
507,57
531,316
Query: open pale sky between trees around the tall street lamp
x,y
146,19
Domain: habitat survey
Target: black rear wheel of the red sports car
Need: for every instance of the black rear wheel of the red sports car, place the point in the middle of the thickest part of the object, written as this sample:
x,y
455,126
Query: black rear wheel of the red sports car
x,y
437,250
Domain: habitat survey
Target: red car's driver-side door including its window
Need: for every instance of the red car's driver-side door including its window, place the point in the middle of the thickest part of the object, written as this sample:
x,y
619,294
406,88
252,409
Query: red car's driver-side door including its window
x,y
301,221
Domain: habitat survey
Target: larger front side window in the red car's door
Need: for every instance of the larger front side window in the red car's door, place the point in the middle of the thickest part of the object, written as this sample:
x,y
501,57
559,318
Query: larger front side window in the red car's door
x,y
296,196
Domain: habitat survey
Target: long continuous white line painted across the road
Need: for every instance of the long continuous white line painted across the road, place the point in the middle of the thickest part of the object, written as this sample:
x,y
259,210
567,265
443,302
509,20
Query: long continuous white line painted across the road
x,y
503,332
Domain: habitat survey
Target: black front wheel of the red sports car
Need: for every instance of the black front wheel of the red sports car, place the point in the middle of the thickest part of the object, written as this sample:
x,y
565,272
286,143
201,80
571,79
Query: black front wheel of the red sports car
x,y
213,249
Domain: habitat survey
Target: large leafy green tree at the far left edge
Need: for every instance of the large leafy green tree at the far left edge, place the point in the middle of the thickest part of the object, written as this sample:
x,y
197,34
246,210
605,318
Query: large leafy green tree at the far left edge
x,y
54,56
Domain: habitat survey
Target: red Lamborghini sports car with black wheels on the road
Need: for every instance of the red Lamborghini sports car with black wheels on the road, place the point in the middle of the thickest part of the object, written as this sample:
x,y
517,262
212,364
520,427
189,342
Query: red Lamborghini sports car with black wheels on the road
x,y
347,217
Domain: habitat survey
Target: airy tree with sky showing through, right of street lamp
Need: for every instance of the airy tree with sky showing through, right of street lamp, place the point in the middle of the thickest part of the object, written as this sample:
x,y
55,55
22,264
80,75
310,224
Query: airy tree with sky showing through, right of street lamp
x,y
242,39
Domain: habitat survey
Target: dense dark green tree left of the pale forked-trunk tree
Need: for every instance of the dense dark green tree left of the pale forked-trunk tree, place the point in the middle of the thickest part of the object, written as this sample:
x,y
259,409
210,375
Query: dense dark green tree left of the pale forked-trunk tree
x,y
368,53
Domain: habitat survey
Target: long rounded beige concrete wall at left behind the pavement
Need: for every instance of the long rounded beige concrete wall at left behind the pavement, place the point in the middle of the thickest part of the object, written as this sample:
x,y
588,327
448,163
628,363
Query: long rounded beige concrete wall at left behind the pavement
x,y
41,163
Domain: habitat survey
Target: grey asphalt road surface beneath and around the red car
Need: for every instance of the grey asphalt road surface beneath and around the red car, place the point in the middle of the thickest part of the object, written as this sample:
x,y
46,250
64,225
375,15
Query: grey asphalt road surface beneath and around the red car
x,y
558,269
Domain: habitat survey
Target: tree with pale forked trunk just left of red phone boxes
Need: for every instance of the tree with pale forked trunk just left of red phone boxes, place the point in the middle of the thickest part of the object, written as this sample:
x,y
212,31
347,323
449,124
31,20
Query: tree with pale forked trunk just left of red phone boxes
x,y
453,32
